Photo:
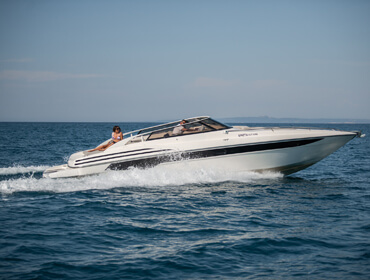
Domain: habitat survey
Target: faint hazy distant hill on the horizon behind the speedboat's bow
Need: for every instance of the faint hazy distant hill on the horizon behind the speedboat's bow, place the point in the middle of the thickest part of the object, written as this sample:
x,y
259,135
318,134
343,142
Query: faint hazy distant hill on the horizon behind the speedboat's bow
x,y
267,119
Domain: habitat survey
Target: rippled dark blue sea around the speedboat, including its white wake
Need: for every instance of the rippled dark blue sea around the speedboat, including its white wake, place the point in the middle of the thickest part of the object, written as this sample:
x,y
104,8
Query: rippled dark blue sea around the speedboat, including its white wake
x,y
191,224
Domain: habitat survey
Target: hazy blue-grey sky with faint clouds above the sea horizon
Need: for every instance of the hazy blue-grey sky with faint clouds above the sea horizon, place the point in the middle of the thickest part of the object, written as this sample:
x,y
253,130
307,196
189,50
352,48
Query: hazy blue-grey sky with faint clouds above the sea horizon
x,y
137,60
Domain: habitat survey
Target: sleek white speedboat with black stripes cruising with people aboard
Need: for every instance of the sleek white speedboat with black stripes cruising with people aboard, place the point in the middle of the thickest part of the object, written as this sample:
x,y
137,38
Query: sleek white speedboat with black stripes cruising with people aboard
x,y
202,142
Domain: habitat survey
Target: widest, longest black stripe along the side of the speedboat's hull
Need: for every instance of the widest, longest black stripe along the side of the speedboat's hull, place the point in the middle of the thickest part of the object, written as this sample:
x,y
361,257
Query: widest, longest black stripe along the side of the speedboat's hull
x,y
153,161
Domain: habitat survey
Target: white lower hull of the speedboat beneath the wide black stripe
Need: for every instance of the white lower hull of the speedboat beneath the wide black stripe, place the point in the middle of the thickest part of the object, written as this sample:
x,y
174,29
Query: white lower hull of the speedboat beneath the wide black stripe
x,y
285,161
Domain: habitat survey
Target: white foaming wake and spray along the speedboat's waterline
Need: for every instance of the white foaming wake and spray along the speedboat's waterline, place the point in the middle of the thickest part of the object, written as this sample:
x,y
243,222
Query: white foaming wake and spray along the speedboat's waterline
x,y
157,177
